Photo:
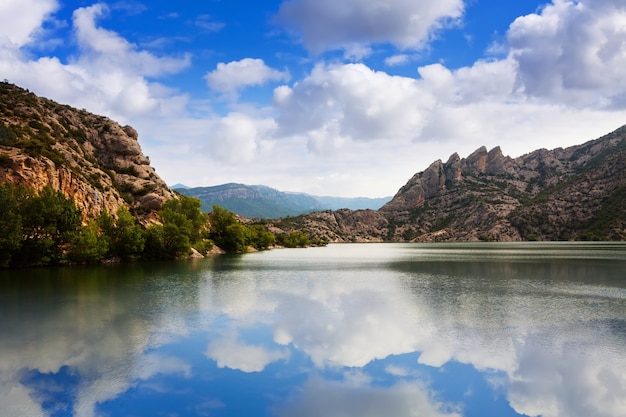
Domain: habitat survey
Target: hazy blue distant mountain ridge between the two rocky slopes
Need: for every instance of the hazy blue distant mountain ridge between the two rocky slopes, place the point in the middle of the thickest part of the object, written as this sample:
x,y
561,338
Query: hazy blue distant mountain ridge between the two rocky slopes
x,y
259,201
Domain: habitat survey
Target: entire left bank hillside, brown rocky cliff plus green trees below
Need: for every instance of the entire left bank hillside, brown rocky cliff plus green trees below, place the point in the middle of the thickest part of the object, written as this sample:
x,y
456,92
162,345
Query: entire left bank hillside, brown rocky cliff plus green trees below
x,y
76,188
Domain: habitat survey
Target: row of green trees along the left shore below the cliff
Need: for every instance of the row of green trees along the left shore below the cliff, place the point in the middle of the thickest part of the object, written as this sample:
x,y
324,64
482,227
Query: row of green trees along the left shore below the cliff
x,y
47,229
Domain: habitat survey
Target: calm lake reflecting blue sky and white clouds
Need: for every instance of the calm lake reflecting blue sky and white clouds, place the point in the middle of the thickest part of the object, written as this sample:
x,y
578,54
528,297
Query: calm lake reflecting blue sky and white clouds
x,y
380,330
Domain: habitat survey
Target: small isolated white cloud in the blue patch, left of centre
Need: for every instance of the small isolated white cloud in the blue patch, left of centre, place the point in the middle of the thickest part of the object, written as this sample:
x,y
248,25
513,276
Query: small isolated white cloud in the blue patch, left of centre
x,y
228,78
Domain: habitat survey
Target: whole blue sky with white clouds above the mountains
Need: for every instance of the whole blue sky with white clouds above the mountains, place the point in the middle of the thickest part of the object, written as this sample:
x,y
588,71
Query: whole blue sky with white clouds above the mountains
x,y
339,98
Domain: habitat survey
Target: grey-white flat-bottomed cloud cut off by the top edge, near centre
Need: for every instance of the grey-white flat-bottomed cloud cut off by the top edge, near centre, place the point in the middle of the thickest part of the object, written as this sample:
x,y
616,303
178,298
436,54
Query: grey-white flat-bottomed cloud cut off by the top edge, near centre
x,y
326,24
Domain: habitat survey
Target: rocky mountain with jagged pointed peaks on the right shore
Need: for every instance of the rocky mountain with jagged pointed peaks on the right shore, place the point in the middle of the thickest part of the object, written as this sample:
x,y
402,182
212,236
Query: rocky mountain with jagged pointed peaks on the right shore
x,y
576,193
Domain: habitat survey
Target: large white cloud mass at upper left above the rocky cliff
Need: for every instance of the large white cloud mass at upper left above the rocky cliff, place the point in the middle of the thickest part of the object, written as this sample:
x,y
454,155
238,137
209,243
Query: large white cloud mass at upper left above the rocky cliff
x,y
108,76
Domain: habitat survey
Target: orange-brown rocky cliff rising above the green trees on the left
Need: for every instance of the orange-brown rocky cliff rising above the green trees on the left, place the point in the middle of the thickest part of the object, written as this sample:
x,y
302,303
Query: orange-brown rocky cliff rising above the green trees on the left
x,y
90,158
